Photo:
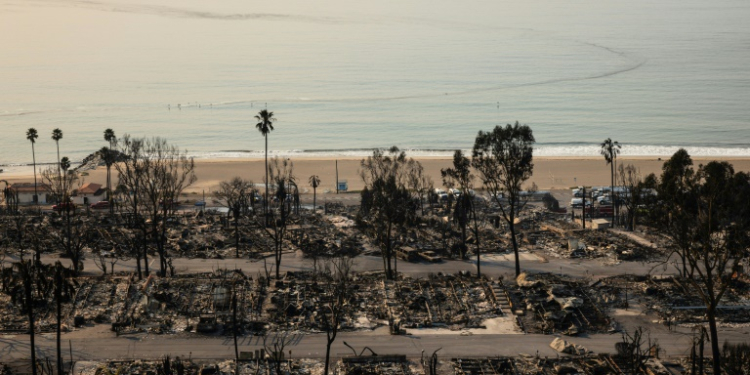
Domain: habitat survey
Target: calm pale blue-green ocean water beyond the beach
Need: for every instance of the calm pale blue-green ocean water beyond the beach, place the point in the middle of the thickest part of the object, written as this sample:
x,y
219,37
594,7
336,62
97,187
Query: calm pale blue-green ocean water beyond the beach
x,y
343,77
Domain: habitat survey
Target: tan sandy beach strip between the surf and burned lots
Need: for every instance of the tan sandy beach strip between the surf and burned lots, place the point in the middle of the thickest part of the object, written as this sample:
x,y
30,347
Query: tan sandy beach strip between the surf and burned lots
x,y
549,173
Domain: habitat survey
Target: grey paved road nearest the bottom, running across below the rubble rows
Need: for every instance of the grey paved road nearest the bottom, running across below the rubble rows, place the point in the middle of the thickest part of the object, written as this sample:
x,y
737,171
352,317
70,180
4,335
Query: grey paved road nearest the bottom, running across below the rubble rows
x,y
105,346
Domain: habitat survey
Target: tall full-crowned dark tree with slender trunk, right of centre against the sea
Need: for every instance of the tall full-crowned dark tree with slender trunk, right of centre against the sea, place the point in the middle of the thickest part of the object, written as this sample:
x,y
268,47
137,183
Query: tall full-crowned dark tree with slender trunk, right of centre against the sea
x,y
503,158
